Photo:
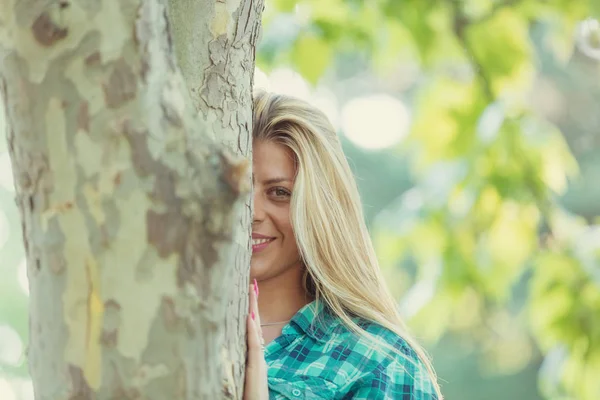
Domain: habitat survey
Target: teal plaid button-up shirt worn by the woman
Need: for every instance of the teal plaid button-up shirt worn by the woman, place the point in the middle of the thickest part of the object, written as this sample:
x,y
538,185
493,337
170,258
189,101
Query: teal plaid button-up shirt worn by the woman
x,y
326,360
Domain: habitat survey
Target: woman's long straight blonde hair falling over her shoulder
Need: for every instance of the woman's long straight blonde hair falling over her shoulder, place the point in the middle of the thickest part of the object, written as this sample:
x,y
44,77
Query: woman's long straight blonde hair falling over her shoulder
x,y
327,219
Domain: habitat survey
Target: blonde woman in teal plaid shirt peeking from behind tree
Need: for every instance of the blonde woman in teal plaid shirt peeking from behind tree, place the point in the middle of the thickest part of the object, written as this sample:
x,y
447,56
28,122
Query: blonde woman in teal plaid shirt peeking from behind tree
x,y
329,326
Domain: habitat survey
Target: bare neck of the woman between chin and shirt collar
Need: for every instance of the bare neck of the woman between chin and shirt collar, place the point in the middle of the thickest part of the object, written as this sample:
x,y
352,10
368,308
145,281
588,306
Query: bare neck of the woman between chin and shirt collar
x,y
281,296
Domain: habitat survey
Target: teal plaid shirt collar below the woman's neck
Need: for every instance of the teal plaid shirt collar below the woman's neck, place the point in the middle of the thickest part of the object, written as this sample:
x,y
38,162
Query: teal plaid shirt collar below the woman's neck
x,y
315,319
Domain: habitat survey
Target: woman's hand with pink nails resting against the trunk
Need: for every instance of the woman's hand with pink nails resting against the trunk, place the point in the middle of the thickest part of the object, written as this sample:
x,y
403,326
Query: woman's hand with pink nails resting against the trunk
x,y
256,387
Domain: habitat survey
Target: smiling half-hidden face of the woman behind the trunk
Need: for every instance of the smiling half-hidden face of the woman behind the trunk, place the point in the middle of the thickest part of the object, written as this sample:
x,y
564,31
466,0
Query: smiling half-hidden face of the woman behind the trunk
x,y
274,249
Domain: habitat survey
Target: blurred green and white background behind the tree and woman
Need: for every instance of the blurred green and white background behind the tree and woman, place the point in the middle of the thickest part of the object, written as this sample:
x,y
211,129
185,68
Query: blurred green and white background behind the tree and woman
x,y
473,129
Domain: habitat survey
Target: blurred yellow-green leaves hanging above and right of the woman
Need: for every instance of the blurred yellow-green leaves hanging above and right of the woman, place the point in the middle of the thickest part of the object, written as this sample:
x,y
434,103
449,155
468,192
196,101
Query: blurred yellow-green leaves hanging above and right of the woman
x,y
483,231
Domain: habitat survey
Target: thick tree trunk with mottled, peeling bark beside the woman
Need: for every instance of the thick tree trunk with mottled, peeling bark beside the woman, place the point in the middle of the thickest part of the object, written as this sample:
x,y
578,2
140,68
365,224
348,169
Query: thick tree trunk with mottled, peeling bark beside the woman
x,y
128,125
